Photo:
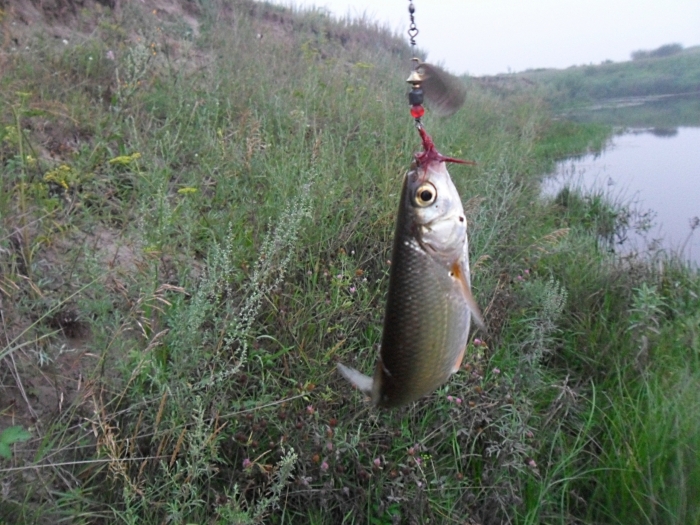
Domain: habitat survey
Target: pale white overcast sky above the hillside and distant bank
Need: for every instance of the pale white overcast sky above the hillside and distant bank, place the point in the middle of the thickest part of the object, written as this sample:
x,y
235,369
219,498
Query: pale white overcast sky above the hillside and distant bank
x,y
485,37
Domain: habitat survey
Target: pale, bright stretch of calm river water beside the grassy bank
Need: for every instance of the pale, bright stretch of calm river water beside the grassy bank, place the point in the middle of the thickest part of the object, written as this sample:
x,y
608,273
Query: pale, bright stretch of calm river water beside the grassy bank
x,y
656,173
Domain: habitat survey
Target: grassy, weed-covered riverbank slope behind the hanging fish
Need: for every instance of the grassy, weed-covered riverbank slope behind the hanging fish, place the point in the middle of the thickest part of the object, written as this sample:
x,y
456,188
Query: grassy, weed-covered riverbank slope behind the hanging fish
x,y
194,227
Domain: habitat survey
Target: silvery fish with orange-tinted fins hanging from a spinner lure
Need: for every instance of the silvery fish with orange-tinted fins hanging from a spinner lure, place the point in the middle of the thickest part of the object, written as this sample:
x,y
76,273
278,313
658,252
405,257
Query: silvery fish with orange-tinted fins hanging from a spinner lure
x,y
430,303
